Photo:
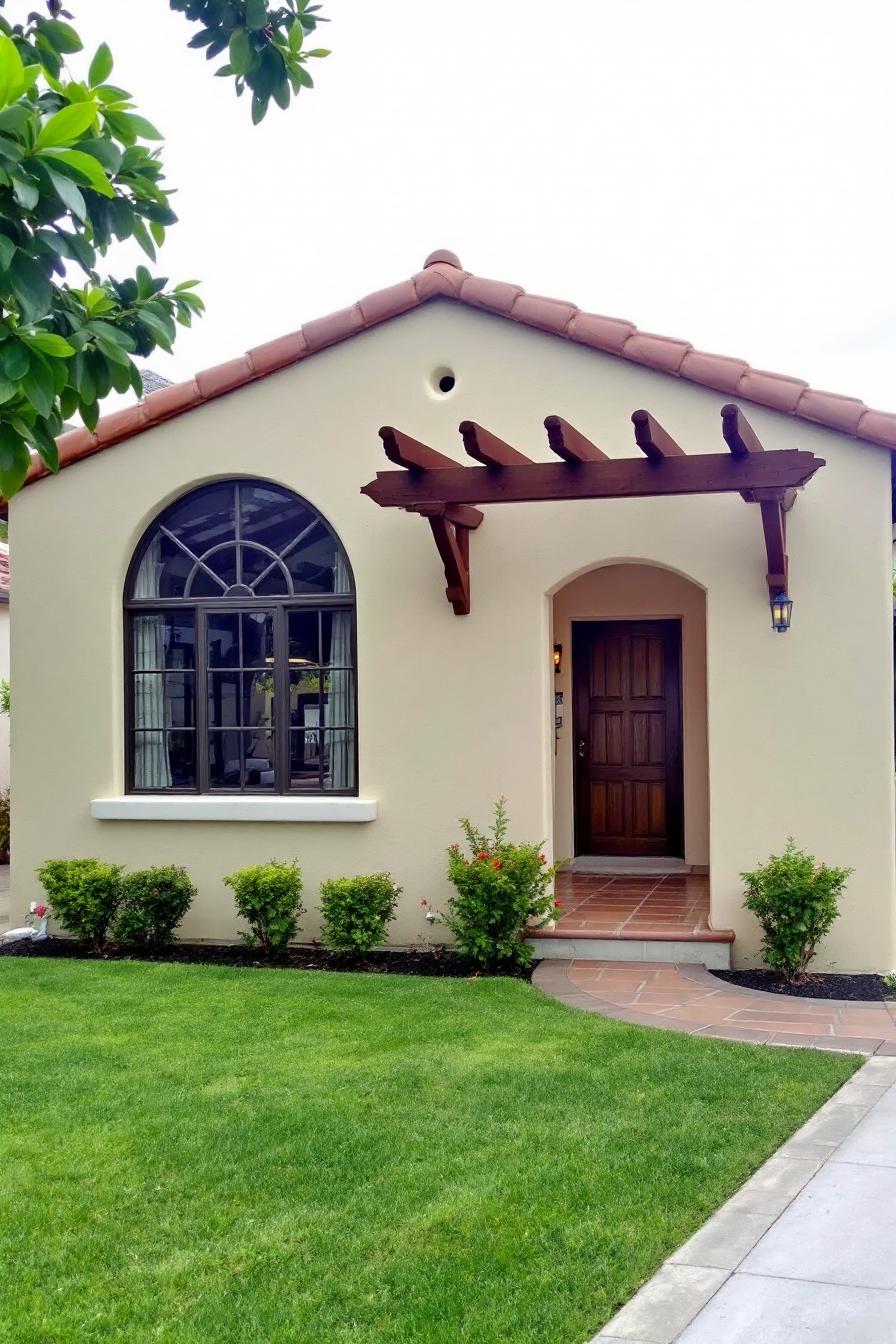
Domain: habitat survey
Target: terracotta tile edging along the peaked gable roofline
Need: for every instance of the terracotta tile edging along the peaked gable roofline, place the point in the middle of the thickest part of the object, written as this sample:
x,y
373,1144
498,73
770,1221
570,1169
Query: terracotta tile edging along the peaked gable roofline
x,y
444,278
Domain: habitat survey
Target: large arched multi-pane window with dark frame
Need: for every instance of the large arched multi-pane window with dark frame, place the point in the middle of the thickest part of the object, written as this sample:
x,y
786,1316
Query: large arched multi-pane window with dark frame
x,y
240,610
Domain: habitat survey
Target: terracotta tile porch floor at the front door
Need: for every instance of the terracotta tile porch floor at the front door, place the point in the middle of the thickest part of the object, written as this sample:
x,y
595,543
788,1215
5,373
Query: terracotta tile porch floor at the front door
x,y
671,908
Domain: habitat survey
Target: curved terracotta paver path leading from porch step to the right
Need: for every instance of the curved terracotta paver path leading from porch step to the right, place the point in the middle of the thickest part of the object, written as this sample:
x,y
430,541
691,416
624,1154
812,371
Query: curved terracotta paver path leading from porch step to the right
x,y
692,1001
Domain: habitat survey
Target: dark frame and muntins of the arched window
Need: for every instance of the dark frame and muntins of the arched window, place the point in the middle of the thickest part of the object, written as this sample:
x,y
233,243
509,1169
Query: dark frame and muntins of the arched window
x,y
202,608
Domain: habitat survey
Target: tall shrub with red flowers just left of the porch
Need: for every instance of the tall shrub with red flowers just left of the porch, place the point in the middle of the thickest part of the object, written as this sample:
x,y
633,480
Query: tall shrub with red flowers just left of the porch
x,y
502,889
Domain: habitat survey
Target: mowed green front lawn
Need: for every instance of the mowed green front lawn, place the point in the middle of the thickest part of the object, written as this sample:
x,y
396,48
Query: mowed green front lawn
x,y
195,1155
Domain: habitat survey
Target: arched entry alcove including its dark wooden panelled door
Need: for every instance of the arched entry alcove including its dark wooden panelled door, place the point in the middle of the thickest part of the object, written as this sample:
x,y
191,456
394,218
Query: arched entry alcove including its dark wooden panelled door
x,y
631,760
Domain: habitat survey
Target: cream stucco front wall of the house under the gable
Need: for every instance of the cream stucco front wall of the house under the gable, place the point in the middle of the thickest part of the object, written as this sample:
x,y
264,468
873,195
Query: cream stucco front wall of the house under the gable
x,y
455,712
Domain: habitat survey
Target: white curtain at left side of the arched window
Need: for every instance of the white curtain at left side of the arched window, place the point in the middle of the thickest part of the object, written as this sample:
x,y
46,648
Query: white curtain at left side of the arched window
x,y
152,769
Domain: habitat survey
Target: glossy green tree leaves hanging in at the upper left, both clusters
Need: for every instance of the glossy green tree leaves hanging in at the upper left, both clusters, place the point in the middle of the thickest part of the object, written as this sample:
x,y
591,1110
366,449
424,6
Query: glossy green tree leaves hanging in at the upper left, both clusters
x,y
80,170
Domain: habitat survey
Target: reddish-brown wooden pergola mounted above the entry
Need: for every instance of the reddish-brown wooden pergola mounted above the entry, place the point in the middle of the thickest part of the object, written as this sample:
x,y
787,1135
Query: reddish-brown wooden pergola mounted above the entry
x,y
447,494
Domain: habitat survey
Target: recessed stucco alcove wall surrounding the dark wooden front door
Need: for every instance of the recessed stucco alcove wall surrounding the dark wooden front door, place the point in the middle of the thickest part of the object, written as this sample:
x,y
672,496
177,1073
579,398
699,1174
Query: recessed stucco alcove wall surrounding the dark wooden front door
x,y
644,592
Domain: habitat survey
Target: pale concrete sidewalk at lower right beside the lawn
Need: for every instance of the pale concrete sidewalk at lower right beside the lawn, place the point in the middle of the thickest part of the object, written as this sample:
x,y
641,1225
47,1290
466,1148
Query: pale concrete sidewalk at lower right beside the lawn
x,y
805,1253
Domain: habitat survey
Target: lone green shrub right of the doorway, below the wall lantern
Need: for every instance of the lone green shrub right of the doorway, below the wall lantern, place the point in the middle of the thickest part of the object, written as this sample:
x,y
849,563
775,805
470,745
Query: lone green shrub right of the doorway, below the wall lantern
x,y
796,901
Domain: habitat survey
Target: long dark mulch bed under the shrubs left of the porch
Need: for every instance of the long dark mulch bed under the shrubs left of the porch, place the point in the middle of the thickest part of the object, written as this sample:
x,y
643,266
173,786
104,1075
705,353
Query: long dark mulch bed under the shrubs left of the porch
x,y
413,963
